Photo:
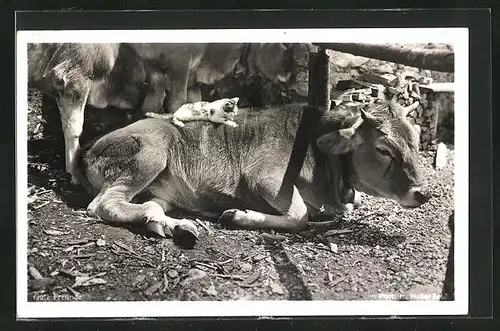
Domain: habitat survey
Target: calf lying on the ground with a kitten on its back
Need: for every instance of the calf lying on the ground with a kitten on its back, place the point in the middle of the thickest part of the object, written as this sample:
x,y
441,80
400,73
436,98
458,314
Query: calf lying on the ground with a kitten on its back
x,y
234,174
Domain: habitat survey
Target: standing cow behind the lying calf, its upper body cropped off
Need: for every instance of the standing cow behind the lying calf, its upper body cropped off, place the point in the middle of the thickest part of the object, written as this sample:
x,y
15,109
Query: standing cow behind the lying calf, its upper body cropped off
x,y
136,76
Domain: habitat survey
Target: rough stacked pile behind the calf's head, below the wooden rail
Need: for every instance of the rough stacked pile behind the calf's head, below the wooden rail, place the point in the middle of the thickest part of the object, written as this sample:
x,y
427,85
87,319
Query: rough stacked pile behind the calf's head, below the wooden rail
x,y
371,87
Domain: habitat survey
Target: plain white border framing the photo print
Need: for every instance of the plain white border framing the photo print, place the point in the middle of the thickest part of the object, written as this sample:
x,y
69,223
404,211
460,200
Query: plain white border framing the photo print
x,y
458,37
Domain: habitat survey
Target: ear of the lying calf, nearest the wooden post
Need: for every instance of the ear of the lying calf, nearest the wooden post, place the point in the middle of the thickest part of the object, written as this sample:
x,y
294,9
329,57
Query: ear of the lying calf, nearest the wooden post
x,y
339,142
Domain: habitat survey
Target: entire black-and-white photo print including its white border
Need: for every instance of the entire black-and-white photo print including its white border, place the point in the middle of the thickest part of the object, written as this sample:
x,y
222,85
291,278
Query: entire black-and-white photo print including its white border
x,y
277,172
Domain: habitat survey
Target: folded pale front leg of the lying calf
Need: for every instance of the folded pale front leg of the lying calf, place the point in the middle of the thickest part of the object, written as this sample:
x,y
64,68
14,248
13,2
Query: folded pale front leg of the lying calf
x,y
293,219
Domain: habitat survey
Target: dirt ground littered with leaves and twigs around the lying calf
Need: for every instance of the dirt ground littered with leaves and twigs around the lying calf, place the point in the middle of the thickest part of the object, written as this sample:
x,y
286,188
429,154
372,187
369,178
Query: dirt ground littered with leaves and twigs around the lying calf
x,y
379,251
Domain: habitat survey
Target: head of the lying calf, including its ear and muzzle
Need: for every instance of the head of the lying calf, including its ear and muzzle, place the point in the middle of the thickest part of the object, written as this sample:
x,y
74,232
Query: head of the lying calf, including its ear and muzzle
x,y
382,149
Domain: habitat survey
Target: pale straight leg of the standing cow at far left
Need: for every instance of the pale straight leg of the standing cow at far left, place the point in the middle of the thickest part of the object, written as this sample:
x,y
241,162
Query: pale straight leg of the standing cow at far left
x,y
71,107
